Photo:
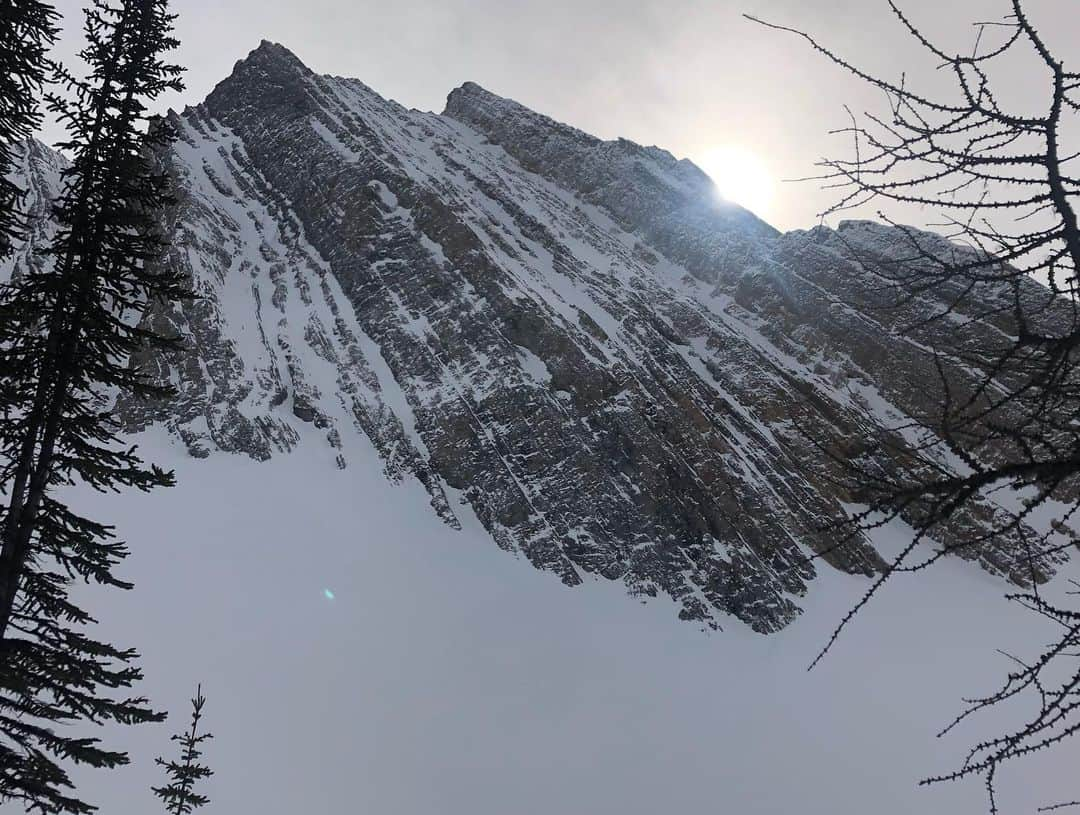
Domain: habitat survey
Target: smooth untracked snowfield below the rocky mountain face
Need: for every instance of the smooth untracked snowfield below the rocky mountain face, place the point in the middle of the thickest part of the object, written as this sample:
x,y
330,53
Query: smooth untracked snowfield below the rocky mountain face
x,y
449,678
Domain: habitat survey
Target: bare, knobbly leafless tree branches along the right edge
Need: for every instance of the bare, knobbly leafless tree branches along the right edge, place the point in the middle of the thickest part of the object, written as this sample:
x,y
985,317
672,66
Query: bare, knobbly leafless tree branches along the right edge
x,y
996,308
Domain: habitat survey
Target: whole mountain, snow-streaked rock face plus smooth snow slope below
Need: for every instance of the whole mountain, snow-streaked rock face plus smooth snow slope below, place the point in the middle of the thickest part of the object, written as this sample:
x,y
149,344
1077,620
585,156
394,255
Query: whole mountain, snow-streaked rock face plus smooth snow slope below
x,y
420,337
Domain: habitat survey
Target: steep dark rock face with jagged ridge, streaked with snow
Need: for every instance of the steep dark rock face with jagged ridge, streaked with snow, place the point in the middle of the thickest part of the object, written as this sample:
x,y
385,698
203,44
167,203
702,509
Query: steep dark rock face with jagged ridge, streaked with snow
x,y
575,338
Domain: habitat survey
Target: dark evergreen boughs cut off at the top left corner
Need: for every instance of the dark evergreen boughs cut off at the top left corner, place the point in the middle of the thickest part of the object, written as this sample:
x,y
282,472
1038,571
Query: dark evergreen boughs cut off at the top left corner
x,y
28,31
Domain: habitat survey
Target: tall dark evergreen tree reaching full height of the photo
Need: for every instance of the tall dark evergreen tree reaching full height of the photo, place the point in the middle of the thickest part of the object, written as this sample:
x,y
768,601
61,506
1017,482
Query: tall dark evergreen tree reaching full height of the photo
x,y
67,331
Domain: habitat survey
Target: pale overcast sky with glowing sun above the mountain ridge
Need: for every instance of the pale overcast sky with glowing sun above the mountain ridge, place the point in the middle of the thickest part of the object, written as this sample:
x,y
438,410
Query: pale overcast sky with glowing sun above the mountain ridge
x,y
694,77
